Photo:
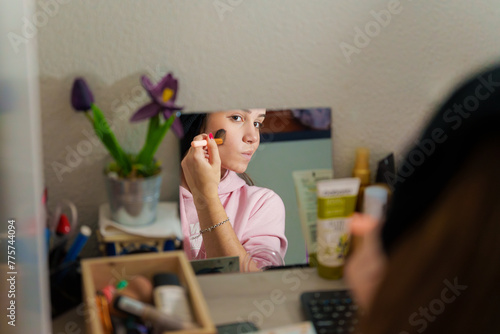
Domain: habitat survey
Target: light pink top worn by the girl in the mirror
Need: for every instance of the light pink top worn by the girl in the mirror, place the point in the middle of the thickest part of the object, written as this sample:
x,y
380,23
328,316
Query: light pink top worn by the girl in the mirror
x,y
256,214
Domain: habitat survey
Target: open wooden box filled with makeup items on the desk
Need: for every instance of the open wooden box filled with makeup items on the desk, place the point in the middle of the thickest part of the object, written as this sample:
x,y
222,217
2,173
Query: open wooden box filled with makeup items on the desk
x,y
146,292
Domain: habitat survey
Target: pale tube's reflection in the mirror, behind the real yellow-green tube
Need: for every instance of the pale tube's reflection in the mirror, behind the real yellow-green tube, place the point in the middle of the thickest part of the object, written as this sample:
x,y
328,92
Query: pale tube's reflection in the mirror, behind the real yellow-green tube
x,y
305,190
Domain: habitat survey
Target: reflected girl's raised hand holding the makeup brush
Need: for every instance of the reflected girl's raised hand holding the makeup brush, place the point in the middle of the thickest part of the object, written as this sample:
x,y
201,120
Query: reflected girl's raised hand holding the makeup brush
x,y
202,170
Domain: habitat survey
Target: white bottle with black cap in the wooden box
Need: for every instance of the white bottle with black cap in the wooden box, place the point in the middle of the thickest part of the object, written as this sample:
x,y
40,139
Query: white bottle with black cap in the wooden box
x,y
170,297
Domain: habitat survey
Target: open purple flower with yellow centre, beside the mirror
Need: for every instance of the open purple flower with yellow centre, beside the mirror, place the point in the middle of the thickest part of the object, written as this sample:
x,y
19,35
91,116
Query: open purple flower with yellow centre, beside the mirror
x,y
163,95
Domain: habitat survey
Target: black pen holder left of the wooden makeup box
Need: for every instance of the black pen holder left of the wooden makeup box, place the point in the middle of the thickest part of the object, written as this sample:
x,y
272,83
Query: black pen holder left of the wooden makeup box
x,y
65,287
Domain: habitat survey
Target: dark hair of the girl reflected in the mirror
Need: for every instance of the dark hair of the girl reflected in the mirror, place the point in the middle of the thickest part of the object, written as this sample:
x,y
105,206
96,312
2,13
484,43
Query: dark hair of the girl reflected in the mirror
x,y
193,125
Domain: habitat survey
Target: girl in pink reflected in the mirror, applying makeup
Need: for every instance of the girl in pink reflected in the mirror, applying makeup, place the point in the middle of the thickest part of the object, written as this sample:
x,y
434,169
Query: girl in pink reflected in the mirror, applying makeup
x,y
222,213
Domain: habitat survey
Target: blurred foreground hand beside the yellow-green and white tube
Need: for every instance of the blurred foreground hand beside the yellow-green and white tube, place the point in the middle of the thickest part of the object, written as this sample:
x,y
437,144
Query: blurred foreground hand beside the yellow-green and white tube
x,y
365,268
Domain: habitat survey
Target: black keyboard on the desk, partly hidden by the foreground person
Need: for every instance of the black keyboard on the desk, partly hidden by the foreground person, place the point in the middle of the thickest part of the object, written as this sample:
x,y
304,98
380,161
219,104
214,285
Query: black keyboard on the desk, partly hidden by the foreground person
x,y
332,311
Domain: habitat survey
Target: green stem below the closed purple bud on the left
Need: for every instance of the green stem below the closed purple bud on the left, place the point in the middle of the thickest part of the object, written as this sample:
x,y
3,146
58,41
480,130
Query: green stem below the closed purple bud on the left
x,y
104,132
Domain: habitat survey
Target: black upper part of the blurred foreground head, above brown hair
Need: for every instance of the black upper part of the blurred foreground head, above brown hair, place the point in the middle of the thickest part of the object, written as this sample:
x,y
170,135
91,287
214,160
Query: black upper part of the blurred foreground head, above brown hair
x,y
441,150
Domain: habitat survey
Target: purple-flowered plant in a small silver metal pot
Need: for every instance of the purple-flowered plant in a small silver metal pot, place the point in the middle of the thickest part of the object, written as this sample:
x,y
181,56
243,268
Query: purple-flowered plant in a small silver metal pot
x,y
133,180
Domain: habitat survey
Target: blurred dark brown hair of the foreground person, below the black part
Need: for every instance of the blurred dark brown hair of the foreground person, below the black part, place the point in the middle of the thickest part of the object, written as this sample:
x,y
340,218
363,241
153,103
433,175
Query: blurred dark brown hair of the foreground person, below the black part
x,y
443,277
